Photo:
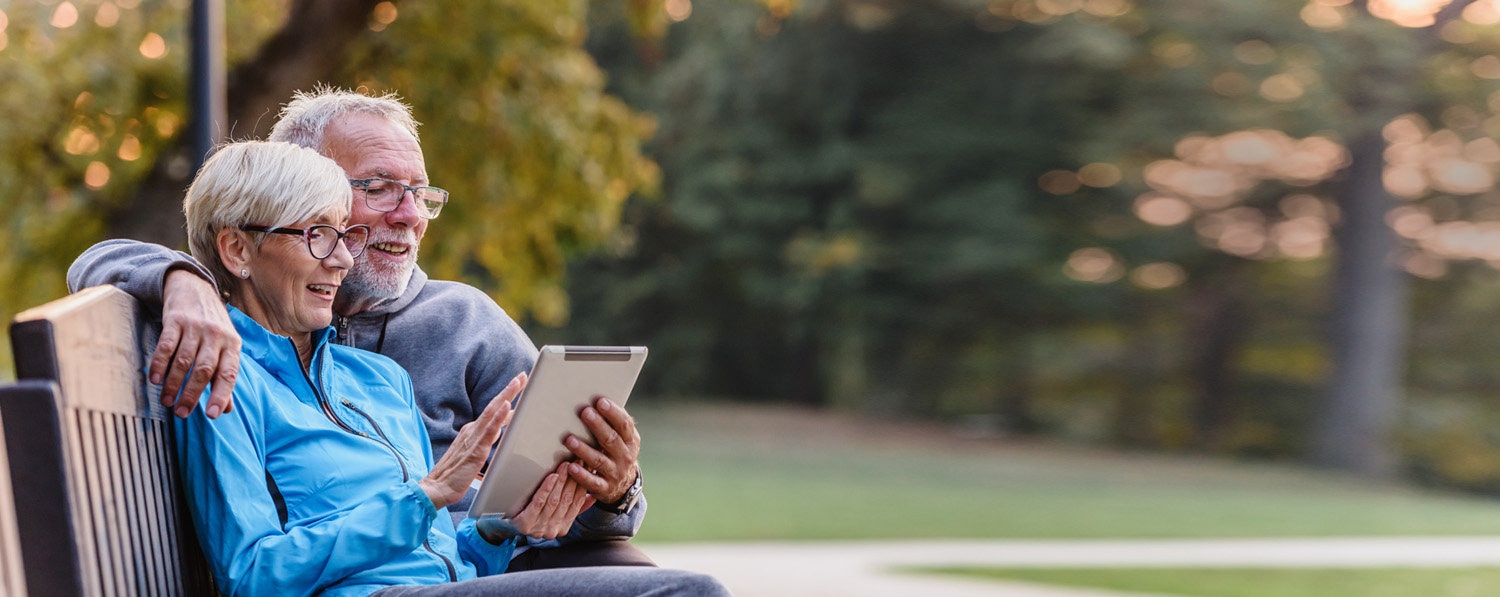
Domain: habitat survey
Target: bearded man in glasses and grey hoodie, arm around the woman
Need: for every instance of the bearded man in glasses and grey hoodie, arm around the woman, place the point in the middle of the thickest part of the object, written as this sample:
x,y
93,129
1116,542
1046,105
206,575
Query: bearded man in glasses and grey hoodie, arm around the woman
x,y
460,347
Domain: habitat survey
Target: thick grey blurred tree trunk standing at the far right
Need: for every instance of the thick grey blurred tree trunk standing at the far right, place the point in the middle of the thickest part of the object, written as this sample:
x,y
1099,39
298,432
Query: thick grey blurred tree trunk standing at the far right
x,y
1369,311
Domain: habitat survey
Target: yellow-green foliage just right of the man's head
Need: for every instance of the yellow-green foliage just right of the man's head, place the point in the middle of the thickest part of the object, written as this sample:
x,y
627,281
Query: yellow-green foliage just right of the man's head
x,y
518,128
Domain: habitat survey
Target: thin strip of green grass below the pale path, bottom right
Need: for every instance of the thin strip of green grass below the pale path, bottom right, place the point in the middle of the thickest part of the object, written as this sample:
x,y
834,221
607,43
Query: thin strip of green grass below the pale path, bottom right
x,y
1261,583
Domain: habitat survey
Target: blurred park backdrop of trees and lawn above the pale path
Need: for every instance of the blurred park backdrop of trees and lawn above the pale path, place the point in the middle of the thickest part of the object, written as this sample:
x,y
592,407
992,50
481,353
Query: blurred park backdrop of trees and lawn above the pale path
x,y
1079,248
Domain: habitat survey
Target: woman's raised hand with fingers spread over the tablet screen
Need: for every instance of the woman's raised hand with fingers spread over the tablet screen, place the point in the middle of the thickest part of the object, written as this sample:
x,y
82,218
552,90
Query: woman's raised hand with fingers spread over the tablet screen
x,y
457,470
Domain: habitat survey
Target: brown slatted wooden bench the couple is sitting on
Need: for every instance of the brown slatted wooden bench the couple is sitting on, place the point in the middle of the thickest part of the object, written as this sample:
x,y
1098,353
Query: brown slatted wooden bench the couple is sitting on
x,y
94,505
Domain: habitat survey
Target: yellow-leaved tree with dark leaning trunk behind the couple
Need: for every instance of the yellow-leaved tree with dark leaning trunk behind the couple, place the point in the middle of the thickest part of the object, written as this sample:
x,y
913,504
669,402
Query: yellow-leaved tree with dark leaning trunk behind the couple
x,y
517,125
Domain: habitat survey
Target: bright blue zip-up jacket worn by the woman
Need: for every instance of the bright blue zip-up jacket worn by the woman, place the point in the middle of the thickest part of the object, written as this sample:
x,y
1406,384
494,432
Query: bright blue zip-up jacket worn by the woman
x,y
310,485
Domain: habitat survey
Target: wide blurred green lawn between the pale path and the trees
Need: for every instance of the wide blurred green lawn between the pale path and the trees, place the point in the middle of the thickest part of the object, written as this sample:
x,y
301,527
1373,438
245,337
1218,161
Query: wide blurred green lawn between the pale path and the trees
x,y
746,473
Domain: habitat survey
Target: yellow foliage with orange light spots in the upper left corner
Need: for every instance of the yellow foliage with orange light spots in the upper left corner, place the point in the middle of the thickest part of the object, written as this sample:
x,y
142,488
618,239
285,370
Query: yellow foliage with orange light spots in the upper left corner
x,y
67,145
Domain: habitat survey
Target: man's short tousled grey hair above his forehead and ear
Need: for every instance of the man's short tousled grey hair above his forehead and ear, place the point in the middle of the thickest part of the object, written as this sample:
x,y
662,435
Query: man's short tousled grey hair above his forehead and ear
x,y
307,118
